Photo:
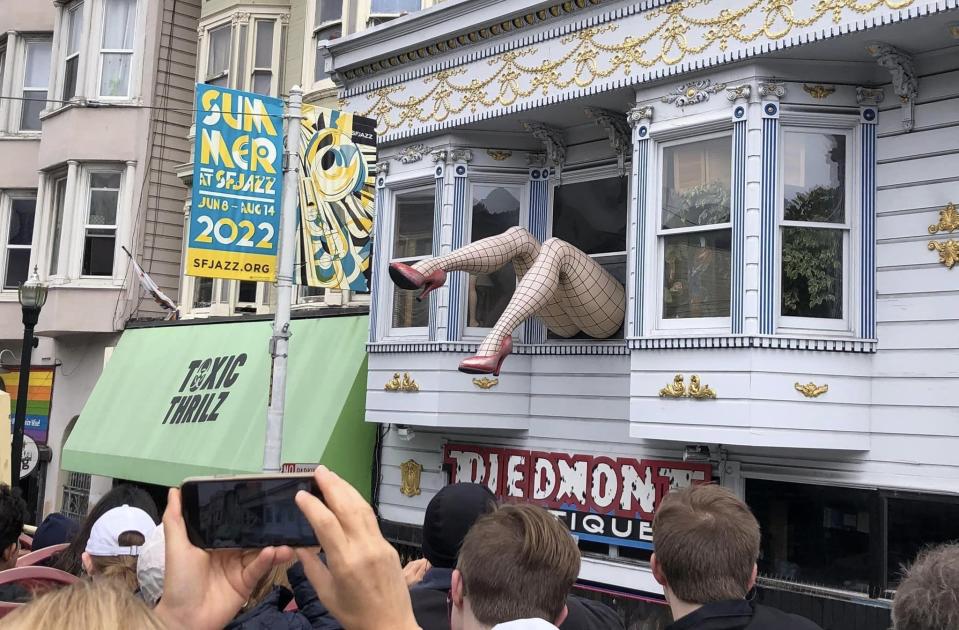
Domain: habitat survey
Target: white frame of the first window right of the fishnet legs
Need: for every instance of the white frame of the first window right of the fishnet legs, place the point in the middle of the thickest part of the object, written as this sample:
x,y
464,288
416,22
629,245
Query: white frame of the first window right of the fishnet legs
x,y
670,326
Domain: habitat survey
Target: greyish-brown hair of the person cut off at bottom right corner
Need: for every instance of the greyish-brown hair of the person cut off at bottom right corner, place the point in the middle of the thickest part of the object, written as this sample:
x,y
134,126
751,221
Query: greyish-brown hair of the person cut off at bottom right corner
x,y
928,597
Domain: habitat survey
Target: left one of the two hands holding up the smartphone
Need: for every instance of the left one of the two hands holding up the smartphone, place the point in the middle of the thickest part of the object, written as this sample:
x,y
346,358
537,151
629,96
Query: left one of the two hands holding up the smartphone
x,y
205,589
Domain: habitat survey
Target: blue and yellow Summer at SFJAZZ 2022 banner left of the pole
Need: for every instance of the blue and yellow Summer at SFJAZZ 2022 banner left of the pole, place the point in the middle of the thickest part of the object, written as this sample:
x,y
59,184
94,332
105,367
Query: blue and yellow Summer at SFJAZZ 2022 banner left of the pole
x,y
237,179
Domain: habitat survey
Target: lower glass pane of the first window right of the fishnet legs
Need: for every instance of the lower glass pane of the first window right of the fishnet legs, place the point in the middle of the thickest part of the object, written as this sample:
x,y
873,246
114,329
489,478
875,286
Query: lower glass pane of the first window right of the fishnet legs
x,y
696,275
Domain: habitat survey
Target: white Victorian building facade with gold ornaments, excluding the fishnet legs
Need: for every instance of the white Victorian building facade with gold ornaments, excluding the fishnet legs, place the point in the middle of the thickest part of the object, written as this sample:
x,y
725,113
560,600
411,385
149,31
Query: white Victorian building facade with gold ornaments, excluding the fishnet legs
x,y
771,182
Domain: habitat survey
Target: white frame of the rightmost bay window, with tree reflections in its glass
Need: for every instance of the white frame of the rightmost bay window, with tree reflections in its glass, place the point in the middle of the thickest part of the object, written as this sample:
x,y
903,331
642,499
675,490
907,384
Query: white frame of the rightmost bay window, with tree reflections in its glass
x,y
835,125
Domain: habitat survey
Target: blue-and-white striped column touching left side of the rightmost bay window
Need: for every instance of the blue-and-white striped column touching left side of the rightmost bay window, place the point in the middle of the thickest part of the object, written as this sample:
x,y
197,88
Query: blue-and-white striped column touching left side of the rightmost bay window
x,y
767,219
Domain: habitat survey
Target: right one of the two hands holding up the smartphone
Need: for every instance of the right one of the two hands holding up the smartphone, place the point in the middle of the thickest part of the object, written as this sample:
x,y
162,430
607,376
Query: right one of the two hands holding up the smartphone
x,y
362,582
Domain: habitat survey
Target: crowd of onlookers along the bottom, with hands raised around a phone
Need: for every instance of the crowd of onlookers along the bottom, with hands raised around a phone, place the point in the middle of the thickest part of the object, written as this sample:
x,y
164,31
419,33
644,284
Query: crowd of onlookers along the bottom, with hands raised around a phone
x,y
484,566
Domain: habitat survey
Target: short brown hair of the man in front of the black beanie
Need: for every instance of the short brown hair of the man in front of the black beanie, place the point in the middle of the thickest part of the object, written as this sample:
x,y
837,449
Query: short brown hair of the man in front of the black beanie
x,y
518,562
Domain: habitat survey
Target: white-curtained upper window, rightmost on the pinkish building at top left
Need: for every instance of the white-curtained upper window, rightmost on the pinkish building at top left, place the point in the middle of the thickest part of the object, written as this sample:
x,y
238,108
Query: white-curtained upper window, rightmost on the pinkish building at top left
x,y
116,51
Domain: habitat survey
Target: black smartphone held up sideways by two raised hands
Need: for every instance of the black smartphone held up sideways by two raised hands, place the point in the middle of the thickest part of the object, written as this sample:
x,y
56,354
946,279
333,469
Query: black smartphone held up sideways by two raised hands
x,y
247,512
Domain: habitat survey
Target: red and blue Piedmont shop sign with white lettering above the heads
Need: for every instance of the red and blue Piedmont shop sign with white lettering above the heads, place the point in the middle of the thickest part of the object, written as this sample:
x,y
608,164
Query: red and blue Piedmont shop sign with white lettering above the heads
x,y
602,499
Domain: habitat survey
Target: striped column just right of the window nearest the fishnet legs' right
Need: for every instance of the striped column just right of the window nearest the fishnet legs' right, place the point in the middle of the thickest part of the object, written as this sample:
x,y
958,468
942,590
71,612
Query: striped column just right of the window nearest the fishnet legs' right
x,y
738,272
